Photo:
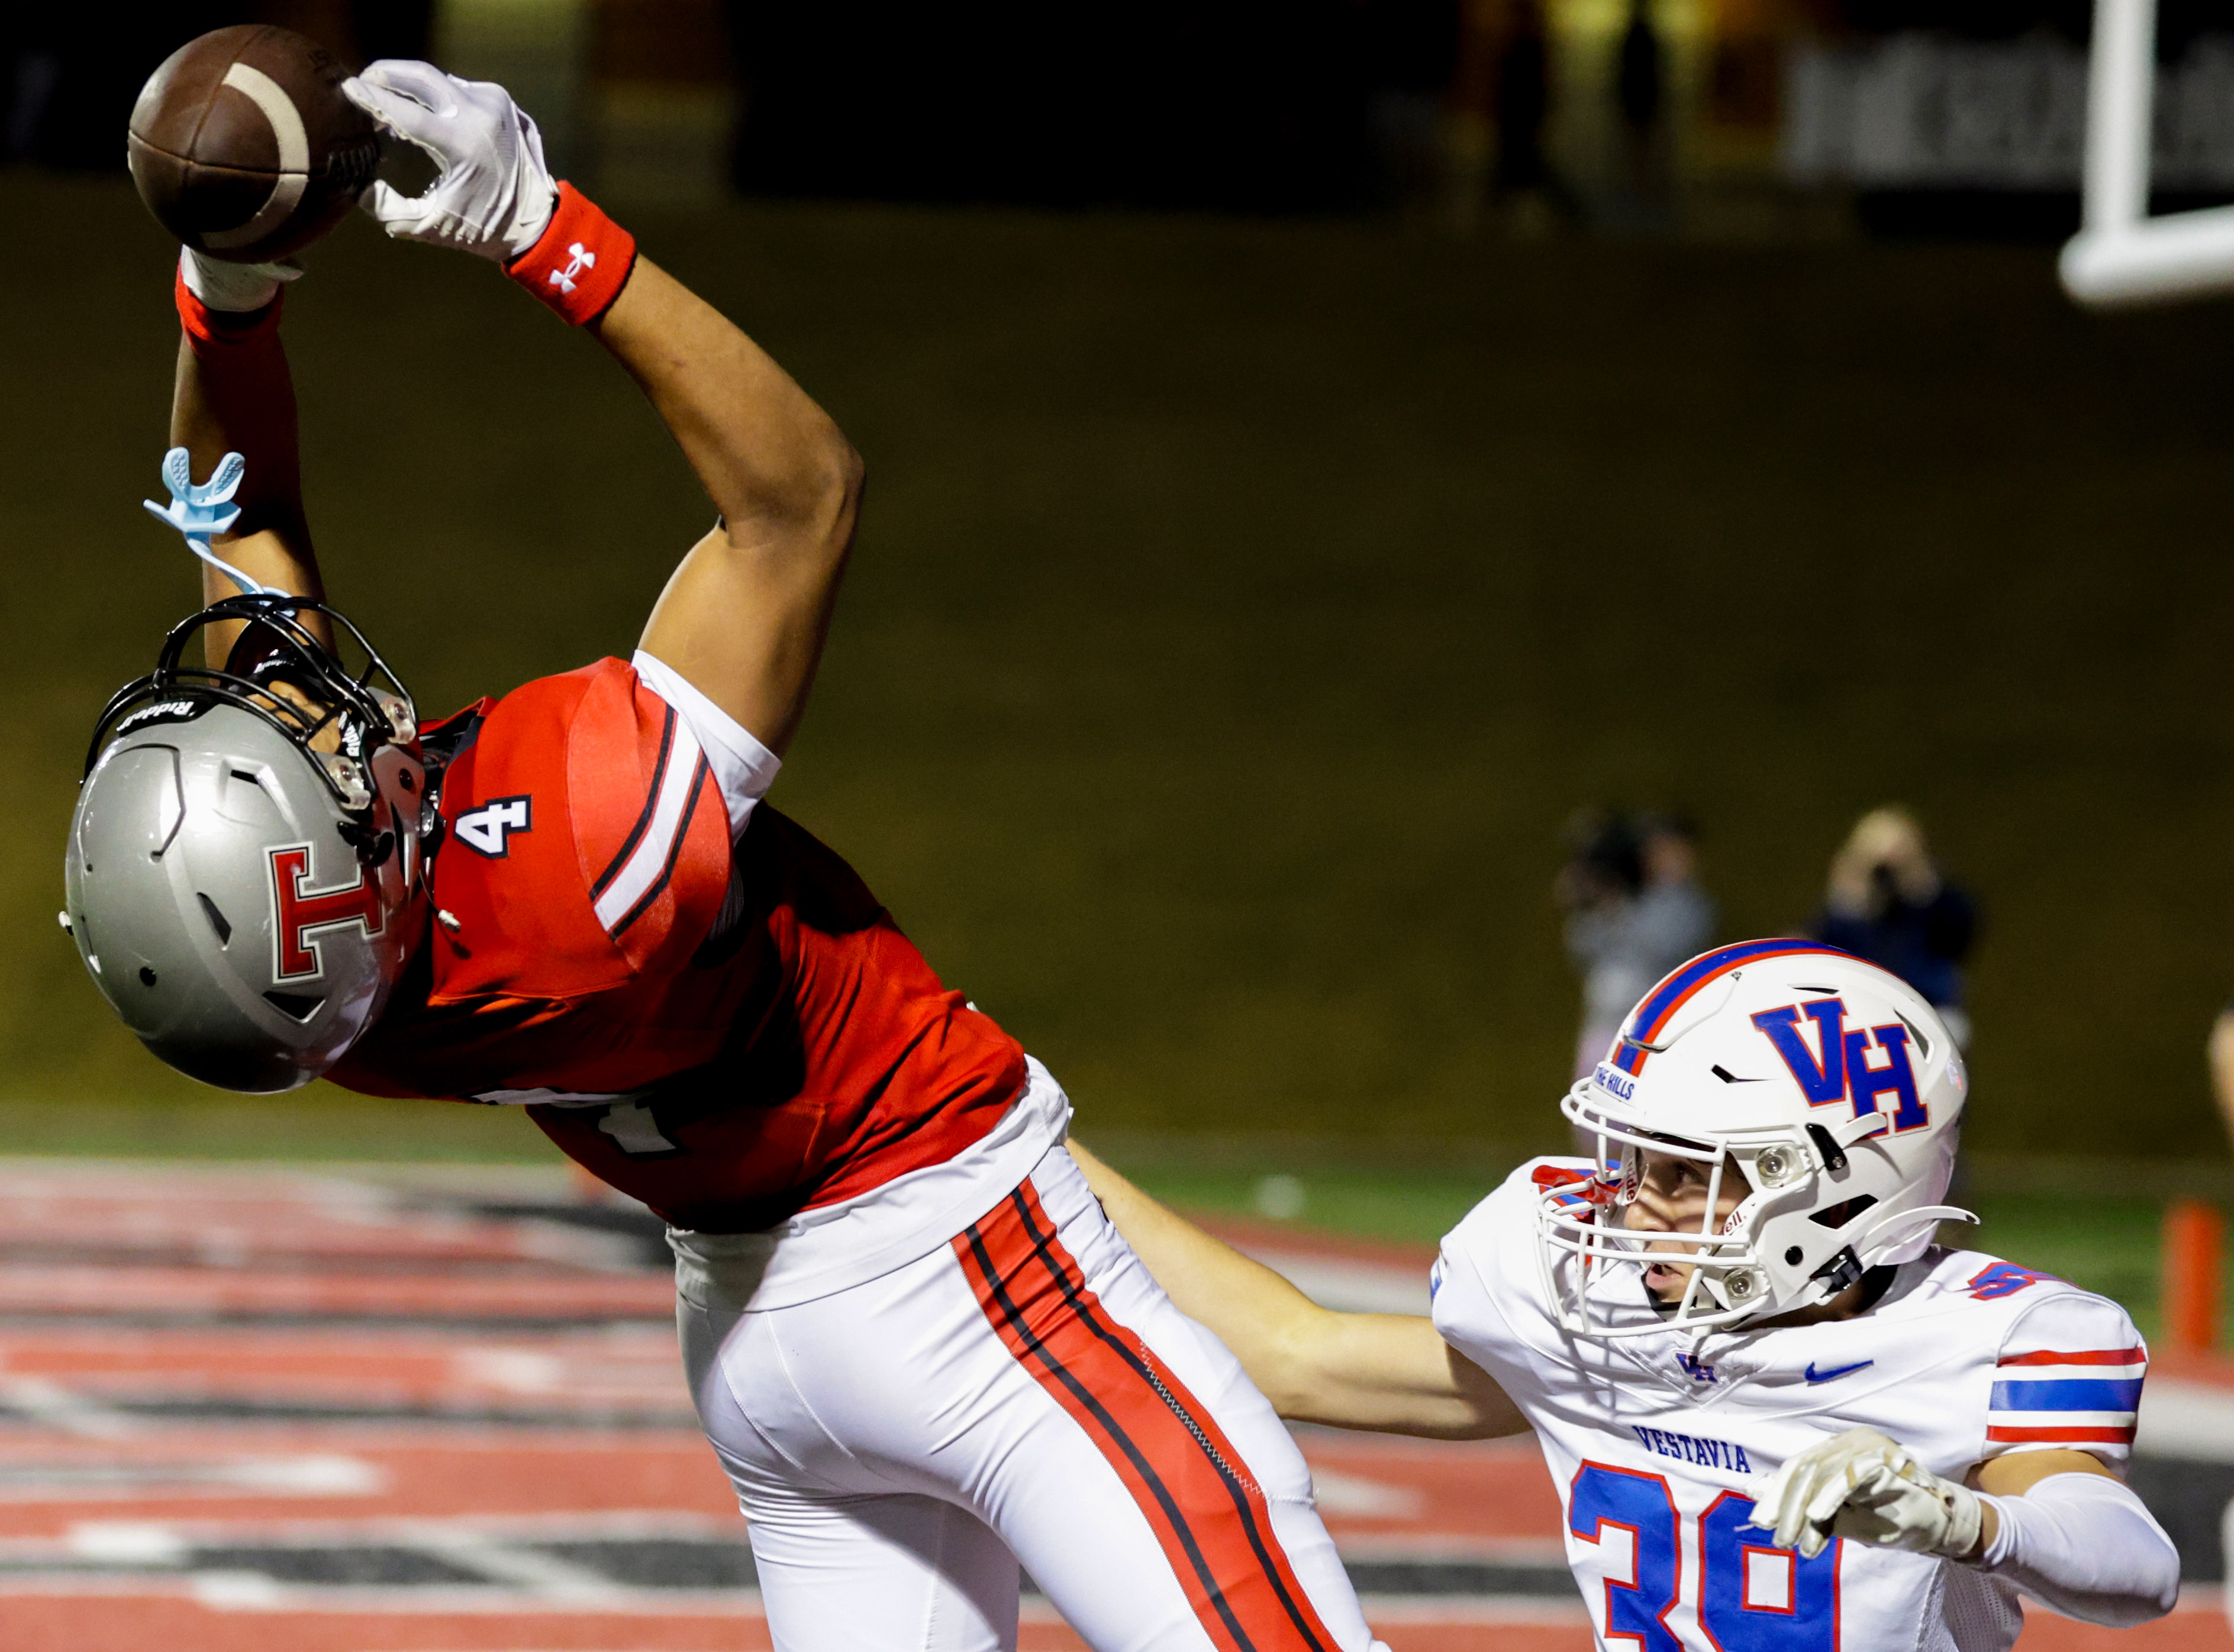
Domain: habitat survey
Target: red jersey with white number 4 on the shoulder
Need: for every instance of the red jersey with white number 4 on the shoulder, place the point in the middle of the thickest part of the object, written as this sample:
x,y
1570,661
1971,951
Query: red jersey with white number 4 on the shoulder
x,y
725,1030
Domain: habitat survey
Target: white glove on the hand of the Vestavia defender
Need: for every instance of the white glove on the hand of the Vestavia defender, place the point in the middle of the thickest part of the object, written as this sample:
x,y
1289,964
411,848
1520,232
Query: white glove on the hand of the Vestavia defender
x,y
1867,1488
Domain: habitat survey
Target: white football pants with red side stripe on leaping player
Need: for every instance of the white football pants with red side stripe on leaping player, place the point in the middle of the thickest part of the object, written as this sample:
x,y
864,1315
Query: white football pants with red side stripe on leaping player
x,y
1022,1394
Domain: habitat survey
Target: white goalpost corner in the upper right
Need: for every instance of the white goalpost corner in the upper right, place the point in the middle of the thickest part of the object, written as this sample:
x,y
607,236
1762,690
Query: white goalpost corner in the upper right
x,y
2121,256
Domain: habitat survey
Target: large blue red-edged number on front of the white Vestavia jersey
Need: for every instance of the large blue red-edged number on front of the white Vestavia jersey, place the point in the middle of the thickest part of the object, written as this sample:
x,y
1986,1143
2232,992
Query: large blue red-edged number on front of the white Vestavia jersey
x,y
1750,1597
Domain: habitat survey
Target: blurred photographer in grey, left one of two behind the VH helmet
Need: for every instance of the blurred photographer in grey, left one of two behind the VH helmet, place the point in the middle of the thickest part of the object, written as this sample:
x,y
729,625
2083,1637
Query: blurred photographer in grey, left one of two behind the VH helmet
x,y
1634,914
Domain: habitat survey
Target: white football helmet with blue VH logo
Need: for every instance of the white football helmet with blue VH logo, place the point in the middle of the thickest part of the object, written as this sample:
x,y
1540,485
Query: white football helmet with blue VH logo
x,y
1822,1079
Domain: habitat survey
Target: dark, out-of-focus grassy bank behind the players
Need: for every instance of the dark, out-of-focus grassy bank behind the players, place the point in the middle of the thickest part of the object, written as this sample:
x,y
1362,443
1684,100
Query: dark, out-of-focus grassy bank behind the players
x,y
1239,613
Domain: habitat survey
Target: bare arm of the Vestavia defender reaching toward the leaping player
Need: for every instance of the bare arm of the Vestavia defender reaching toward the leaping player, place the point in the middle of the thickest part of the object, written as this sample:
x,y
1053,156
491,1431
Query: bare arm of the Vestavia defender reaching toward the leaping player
x,y
1384,1372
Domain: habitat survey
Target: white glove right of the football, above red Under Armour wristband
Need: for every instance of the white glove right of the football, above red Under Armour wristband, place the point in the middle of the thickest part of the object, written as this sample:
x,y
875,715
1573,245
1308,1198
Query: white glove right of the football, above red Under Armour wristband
x,y
493,193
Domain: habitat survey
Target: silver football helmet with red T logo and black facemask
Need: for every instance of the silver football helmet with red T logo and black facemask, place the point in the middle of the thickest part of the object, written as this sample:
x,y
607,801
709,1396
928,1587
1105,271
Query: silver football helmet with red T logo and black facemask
x,y
247,865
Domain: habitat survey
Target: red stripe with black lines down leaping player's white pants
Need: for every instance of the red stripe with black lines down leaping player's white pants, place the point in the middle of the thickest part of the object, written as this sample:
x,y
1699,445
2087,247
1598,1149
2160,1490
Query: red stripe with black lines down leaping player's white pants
x,y
1183,1472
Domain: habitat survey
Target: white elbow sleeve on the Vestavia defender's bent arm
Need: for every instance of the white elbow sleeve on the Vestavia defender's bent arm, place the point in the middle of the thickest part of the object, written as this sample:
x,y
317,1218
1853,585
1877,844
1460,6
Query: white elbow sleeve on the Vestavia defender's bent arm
x,y
2085,1546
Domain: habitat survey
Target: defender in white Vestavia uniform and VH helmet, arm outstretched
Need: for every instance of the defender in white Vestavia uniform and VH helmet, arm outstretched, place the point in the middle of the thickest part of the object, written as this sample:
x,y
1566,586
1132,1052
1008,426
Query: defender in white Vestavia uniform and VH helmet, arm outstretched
x,y
1779,1416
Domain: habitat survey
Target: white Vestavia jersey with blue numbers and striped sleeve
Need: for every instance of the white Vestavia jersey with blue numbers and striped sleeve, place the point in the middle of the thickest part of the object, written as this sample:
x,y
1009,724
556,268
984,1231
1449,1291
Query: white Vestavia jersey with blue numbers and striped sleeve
x,y
1657,1441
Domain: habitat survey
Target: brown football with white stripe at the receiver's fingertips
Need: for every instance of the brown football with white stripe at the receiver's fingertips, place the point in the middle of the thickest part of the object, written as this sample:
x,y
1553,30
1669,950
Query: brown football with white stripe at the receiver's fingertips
x,y
245,146
